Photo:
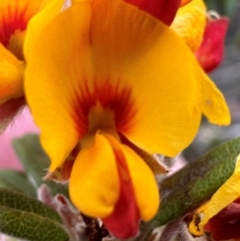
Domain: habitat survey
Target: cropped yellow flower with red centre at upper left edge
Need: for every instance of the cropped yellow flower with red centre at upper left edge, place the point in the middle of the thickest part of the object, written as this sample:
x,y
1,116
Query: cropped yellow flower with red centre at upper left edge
x,y
14,18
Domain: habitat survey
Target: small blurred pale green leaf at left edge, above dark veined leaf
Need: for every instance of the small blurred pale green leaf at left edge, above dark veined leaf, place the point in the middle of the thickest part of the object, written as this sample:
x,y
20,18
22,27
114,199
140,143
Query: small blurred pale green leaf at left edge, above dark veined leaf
x,y
17,181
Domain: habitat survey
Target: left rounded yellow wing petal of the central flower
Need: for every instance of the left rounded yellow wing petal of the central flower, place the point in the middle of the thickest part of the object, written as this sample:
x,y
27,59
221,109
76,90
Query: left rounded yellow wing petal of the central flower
x,y
94,184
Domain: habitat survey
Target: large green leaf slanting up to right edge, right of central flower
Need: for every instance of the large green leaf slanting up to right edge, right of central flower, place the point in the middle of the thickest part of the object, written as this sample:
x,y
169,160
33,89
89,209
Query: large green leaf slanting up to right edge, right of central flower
x,y
197,182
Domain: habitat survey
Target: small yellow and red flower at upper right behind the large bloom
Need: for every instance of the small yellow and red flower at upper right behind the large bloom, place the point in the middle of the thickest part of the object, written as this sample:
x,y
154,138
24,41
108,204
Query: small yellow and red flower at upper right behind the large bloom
x,y
203,33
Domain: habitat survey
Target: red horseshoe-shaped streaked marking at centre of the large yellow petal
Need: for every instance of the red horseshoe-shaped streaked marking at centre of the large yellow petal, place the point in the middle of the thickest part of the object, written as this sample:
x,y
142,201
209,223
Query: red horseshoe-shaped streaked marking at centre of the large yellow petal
x,y
110,96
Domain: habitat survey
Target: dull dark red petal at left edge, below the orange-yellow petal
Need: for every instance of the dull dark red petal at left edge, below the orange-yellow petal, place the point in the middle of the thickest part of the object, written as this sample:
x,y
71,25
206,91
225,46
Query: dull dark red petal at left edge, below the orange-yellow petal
x,y
9,110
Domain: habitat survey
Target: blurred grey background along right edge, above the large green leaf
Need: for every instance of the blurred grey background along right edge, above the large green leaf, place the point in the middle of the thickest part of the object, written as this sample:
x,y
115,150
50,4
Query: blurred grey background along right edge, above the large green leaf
x,y
227,78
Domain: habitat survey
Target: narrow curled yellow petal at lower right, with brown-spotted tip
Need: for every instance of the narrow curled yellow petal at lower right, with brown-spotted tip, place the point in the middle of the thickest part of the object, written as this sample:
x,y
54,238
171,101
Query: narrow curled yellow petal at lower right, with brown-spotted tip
x,y
224,196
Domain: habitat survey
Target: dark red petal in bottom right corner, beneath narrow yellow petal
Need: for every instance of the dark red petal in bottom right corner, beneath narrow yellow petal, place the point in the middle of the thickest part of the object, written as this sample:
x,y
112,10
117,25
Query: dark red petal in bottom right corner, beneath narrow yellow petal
x,y
226,224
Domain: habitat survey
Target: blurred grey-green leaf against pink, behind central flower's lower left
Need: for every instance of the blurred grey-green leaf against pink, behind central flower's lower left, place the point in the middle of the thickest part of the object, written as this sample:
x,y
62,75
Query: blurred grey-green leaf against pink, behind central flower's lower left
x,y
36,161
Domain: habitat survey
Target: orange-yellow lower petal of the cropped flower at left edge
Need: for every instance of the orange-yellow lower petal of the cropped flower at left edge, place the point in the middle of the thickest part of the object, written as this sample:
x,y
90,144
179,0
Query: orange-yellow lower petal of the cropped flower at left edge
x,y
11,76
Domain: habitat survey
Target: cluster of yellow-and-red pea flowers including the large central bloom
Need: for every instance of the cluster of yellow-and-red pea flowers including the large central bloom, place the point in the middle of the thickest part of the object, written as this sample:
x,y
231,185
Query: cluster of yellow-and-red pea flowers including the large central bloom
x,y
109,83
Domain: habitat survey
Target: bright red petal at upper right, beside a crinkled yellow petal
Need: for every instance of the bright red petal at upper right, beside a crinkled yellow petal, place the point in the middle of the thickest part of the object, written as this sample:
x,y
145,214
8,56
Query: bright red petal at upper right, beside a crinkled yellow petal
x,y
210,53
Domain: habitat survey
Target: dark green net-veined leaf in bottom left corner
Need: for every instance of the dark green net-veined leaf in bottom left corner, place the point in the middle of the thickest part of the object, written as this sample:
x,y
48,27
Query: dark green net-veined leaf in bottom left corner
x,y
27,218
